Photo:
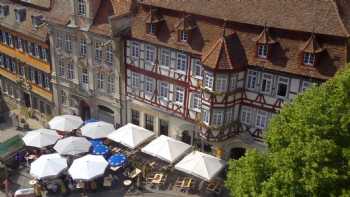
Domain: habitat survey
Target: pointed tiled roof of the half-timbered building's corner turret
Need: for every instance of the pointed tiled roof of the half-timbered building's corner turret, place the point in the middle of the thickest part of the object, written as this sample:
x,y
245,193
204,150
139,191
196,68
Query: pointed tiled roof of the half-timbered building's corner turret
x,y
220,56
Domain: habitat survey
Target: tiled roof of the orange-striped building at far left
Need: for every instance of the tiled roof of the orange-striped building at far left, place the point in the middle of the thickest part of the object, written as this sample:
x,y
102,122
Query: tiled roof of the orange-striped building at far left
x,y
26,27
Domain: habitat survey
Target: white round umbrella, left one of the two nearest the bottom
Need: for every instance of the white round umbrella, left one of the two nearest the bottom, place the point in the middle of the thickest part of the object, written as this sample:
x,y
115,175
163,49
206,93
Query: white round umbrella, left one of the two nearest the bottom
x,y
47,166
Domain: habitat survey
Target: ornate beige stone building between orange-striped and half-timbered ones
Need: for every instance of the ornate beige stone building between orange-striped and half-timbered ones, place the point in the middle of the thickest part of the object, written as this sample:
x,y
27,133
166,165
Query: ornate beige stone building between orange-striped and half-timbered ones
x,y
85,62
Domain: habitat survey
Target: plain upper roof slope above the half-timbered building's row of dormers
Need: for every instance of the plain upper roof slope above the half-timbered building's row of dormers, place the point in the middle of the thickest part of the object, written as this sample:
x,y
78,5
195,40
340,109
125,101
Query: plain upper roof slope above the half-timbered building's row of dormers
x,y
318,16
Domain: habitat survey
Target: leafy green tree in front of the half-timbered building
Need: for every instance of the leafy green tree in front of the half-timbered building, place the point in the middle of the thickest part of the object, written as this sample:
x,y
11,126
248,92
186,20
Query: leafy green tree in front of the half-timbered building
x,y
308,148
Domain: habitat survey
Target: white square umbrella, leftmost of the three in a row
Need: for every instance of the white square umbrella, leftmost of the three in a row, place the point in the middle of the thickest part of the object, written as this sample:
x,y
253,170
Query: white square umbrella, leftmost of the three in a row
x,y
130,135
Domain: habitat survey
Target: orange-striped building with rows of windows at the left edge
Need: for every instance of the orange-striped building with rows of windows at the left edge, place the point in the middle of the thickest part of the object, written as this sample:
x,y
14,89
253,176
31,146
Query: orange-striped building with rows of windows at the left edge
x,y
25,65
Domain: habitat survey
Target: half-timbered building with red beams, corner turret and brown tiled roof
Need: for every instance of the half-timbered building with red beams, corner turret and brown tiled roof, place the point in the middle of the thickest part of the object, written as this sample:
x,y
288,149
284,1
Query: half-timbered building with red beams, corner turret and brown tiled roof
x,y
213,77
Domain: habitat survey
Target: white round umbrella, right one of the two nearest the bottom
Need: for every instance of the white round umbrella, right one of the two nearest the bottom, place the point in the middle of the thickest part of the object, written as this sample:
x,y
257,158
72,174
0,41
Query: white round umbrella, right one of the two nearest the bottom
x,y
88,167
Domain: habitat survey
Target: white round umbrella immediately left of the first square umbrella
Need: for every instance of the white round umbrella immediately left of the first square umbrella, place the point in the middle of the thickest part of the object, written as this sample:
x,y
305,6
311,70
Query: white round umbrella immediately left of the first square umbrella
x,y
96,130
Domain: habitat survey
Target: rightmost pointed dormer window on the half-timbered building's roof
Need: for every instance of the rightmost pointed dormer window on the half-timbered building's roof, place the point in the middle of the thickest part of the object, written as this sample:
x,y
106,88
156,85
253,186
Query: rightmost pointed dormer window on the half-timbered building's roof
x,y
311,51
